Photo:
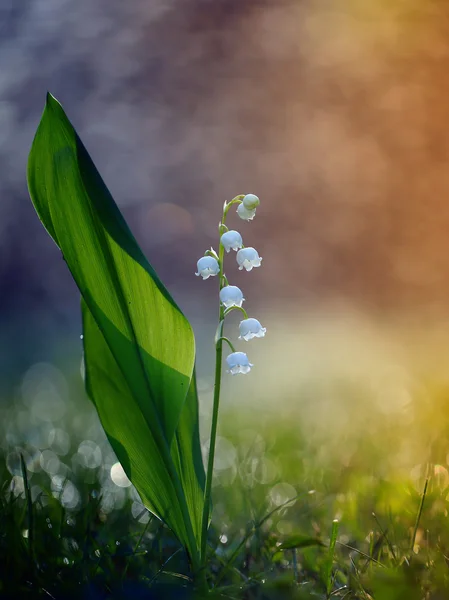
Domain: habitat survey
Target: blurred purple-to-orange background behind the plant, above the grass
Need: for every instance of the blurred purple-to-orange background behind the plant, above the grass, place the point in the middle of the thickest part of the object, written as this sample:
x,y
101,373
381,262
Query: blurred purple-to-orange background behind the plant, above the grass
x,y
335,114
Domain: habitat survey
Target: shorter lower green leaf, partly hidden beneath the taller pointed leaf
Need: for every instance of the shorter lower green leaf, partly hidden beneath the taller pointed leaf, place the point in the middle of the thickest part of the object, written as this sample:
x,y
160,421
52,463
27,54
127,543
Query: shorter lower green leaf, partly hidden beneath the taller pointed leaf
x,y
143,460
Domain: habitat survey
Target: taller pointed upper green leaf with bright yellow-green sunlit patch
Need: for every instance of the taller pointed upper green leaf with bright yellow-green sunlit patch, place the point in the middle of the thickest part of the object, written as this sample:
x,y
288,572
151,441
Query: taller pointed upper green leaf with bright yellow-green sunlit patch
x,y
117,282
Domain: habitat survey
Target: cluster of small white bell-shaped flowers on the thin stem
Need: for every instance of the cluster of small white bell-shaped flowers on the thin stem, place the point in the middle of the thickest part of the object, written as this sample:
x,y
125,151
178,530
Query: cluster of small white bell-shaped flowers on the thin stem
x,y
231,296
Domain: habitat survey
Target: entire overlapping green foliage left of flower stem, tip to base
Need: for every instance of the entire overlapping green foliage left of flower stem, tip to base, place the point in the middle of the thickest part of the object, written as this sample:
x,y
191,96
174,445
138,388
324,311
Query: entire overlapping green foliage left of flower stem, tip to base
x,y
139,347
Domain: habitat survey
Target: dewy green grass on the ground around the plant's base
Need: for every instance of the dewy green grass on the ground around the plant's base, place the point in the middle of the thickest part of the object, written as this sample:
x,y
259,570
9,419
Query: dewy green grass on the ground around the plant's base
x,y
273,536
